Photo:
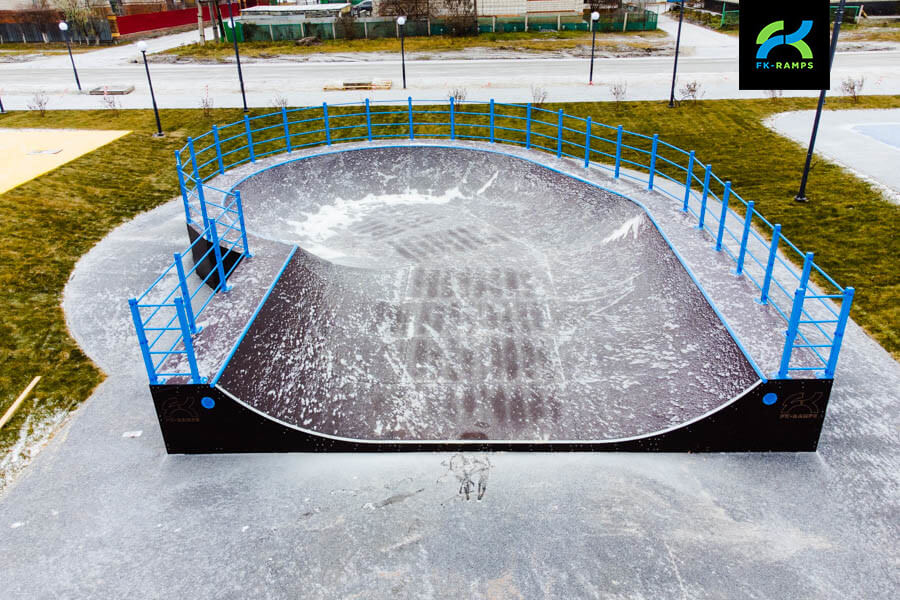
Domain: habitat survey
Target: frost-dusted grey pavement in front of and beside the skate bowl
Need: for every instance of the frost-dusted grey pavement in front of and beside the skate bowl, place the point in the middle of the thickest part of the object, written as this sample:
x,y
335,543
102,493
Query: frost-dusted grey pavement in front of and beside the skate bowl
x,y
103,512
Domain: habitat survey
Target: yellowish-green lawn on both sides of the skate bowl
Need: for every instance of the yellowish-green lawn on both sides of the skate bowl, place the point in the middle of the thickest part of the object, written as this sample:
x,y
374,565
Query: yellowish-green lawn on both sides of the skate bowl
x,y
49,222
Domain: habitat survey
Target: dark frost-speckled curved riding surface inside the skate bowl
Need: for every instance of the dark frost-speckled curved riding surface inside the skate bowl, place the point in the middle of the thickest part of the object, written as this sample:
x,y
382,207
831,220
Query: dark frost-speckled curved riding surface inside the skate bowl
x,y
447,294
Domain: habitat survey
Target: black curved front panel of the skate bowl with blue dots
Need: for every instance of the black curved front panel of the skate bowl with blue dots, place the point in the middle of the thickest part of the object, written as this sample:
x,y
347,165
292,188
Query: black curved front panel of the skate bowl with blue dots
x,y
778,416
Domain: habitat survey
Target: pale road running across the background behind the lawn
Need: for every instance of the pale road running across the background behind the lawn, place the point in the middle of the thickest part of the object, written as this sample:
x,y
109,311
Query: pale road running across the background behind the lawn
x,y
182,85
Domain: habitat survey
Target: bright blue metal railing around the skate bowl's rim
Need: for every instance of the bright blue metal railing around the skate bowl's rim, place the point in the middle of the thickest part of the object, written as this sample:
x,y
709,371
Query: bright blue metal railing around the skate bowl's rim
x,y
815,321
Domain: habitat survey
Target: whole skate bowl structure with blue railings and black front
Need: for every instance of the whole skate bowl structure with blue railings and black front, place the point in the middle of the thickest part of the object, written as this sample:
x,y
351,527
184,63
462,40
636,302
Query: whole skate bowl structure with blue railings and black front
x,y
458,291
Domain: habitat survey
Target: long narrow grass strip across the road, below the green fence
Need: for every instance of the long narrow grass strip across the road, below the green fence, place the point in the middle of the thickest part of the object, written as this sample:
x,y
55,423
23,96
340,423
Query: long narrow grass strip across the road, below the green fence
x,y
524,41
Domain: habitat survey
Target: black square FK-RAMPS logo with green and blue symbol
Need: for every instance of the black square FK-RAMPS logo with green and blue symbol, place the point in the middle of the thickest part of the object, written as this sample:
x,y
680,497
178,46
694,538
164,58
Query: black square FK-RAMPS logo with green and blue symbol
x,y
784,45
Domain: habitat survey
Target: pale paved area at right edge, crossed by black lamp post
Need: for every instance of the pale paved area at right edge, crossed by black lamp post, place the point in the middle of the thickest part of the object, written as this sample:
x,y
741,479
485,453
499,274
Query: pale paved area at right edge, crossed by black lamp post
x,y
865,141
